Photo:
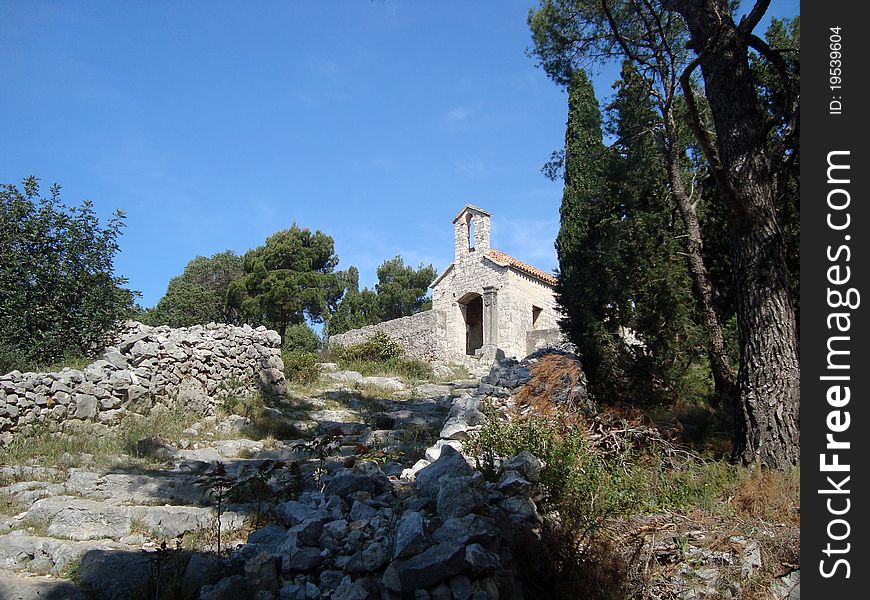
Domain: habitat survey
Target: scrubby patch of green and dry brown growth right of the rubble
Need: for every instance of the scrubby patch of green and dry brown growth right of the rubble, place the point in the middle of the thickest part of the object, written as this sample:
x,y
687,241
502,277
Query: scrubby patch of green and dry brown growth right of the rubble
x,y
612,477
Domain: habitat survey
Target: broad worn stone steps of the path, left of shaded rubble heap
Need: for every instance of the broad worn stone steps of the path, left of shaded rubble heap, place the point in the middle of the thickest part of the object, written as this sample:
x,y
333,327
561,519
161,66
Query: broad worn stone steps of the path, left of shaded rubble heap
x,y
115,515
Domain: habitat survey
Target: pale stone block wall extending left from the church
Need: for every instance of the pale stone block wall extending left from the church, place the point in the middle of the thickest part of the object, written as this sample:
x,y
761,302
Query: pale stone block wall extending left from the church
x,y
421,335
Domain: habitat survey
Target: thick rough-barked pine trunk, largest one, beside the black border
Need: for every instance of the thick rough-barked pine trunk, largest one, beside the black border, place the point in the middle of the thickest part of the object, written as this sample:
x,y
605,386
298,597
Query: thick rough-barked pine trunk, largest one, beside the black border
x,y
769,376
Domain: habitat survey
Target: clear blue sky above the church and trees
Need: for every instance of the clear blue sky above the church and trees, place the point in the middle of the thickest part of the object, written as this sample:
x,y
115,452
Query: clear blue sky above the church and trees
x,y
216,124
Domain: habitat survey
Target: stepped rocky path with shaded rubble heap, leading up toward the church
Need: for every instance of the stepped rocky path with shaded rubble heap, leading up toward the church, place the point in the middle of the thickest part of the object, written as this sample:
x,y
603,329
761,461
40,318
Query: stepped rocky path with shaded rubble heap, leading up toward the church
x,y
126,532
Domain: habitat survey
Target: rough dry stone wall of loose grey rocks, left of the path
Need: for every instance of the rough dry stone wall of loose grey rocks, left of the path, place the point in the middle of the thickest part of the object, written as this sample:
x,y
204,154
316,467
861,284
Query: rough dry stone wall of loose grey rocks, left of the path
x,y
149,364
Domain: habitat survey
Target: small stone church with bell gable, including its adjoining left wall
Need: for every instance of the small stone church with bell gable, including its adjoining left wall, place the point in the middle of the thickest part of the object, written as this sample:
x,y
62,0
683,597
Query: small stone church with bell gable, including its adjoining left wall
x,y
484,301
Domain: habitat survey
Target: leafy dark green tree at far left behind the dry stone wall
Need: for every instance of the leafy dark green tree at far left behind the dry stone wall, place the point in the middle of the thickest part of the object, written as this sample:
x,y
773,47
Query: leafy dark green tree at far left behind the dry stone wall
x,y
59,295
